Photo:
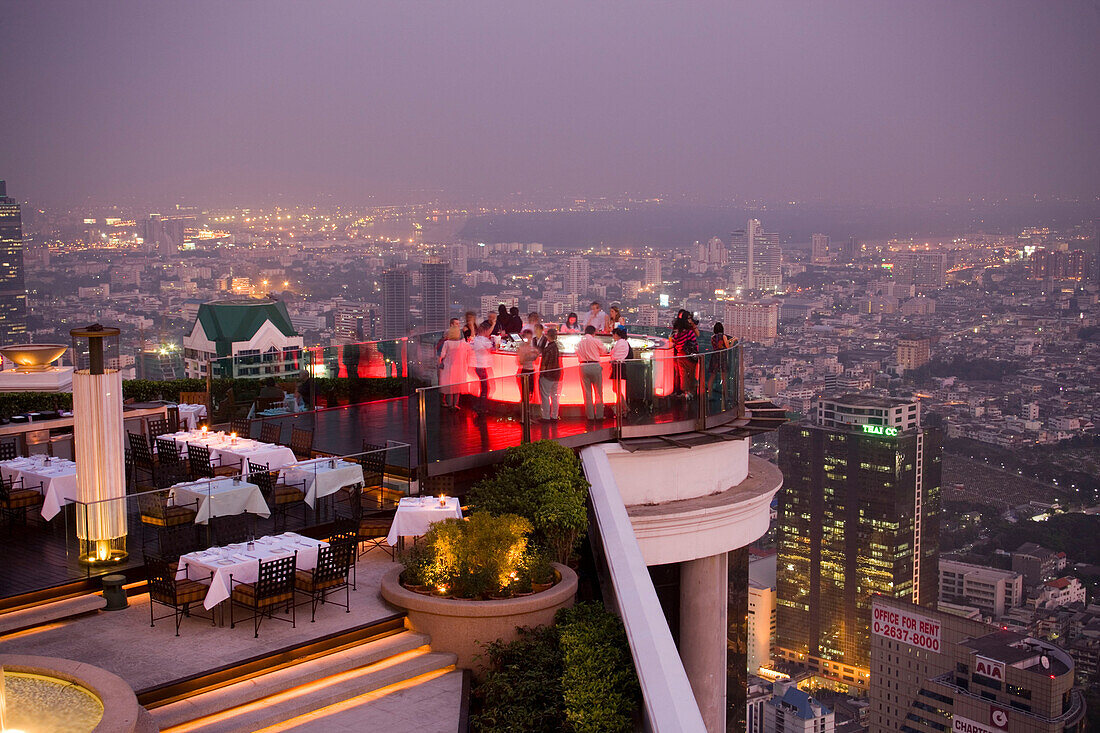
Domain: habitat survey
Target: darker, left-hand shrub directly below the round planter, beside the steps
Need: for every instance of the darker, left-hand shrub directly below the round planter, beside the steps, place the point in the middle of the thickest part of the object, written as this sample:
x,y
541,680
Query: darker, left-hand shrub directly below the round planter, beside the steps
x,y
522,688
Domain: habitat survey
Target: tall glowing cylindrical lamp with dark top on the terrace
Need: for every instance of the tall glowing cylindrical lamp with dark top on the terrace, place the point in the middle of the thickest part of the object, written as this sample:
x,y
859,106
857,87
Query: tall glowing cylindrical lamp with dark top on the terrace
x,y
98,447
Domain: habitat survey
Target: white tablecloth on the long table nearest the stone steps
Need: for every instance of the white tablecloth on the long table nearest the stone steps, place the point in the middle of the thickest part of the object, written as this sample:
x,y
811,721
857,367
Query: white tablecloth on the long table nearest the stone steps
x,y
244,564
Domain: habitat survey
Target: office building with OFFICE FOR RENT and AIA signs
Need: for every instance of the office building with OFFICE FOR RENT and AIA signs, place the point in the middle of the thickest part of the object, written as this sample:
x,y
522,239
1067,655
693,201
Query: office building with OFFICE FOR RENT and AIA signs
x,y
940,672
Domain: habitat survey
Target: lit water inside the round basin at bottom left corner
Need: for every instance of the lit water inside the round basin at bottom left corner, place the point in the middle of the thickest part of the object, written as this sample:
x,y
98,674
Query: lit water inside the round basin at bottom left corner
x,y
39,704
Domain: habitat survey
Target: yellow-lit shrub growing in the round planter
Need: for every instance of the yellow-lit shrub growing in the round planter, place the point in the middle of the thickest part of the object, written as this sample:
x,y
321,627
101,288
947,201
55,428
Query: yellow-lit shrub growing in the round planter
x,y
472,559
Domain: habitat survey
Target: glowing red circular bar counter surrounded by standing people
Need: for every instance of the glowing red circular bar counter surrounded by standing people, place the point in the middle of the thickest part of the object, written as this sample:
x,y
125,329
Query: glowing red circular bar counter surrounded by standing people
x,y
656,354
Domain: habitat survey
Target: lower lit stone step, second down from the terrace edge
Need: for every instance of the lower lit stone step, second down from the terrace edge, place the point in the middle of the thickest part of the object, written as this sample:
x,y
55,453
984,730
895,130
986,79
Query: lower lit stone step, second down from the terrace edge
x,y
306,698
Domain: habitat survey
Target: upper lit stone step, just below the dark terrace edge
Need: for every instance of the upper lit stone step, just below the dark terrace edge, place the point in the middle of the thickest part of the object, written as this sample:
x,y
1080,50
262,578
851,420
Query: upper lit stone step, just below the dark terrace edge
x,y
262,686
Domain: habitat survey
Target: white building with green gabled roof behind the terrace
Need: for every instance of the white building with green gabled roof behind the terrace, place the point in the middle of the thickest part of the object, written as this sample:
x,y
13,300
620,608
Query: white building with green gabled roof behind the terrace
x,y
246,338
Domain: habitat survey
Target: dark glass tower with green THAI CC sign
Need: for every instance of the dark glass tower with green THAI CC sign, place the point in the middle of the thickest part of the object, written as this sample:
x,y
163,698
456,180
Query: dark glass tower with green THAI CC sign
x,y
859,516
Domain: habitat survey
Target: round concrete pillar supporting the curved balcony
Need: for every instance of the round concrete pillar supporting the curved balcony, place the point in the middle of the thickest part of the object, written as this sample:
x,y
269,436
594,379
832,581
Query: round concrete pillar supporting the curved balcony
x,y
703,587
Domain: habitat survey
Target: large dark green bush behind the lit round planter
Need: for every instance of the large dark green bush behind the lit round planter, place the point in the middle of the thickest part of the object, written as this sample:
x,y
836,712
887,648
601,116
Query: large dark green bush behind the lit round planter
x,y
543,483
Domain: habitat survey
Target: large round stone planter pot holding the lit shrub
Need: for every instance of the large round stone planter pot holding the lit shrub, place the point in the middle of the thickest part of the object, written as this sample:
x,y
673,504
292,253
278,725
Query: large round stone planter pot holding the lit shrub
x,y
465,627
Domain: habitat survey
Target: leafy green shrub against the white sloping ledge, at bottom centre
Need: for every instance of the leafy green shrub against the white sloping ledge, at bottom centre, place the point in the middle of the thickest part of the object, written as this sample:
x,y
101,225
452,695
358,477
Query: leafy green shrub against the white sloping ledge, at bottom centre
x,y
599,682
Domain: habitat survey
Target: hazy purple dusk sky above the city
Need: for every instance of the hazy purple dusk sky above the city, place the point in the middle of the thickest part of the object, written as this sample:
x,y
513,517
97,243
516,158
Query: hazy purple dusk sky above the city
x,y
830,101
